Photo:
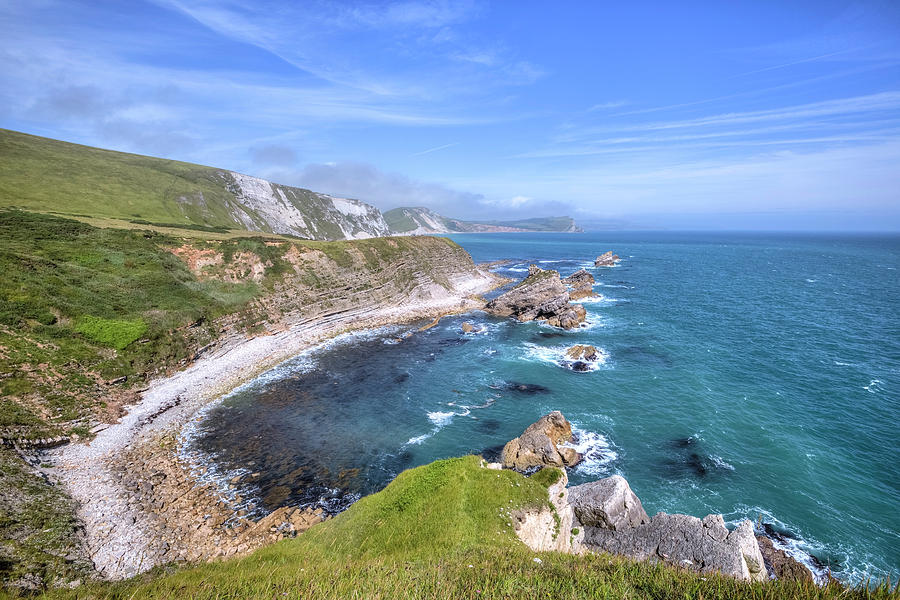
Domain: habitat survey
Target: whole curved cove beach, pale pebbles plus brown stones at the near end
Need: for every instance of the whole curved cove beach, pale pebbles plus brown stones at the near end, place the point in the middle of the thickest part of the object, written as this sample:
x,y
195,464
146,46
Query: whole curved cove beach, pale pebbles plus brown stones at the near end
x,y
122,525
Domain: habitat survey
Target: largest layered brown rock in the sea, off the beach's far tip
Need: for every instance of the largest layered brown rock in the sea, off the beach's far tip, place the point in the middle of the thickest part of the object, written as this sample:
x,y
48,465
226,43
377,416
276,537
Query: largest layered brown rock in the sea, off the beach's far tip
x,y
541,296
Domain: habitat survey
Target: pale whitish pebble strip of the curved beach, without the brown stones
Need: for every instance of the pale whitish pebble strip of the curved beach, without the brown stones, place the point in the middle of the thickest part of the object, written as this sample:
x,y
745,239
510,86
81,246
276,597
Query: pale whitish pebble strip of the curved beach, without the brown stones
x,y
119,537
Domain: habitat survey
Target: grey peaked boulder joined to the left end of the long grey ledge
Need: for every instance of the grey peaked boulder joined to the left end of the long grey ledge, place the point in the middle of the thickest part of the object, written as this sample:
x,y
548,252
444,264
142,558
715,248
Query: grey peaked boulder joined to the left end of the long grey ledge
x,y
608,503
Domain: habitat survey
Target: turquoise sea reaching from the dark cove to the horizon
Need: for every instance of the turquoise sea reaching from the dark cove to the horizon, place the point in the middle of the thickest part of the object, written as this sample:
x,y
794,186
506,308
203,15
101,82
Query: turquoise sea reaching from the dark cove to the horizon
x,y
752,375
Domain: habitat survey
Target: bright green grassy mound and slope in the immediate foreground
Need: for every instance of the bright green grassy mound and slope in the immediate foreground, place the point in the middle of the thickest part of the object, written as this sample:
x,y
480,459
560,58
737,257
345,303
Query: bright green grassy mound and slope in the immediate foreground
x,y
443,530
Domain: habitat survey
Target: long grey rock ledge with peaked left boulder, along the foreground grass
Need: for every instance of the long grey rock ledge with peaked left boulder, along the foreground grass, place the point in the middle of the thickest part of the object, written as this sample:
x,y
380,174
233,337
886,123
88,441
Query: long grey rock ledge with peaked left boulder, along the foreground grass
x,y
702,545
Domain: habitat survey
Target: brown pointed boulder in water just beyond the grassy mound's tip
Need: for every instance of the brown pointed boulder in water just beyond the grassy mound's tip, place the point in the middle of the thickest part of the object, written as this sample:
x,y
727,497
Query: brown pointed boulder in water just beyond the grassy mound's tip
x,y
539,445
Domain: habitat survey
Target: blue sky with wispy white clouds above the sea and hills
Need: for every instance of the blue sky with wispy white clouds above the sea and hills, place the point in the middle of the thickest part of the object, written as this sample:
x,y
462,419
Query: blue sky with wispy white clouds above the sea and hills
x,y
682,115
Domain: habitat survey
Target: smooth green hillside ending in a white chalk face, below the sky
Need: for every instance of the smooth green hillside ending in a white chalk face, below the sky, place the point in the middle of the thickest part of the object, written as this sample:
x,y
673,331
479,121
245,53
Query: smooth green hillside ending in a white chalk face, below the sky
x,y
47,175
